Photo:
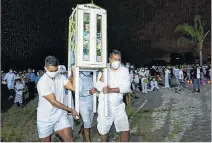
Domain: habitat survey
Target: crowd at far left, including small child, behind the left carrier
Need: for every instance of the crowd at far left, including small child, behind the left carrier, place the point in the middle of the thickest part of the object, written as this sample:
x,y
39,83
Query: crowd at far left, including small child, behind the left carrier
x,y
18,84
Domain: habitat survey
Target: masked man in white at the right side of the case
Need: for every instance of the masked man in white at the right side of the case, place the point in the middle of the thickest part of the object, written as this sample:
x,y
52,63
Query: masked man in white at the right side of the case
x,y
118,84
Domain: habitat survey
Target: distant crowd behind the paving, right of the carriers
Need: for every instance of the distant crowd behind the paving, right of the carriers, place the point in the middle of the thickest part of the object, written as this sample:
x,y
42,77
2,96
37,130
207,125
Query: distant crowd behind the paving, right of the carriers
x,y
147,79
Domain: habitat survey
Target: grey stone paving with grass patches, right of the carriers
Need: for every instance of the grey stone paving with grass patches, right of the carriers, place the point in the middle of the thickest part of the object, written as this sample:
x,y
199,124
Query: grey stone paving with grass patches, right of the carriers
x,y
179,117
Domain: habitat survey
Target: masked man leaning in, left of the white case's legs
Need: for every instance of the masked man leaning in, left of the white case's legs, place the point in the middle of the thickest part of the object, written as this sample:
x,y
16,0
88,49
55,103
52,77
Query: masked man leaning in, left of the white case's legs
x,y
51,111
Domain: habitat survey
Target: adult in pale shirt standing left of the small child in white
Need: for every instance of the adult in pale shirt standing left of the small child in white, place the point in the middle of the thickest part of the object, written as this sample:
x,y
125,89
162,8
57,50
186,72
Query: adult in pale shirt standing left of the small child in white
x,y
10,79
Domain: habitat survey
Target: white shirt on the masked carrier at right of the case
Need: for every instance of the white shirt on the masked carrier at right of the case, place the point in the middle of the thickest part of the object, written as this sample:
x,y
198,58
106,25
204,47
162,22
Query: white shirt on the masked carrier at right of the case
x,y
118,79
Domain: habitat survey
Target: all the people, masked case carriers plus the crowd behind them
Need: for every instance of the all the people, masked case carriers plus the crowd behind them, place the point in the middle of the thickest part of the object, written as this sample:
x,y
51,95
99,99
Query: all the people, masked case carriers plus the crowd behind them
x,y
54,86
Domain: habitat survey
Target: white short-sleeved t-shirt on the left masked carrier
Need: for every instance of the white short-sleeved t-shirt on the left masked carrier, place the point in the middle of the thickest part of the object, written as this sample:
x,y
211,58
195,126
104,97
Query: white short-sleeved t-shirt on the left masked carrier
x,y
46,86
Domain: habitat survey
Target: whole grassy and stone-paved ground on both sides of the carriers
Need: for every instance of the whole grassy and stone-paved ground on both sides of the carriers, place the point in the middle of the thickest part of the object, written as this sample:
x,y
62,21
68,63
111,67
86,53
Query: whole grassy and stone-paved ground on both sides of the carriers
x,y
158,116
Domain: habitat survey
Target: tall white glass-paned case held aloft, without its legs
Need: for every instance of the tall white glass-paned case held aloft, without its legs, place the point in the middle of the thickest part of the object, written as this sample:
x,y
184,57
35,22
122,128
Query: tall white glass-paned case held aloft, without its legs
x,y
87,46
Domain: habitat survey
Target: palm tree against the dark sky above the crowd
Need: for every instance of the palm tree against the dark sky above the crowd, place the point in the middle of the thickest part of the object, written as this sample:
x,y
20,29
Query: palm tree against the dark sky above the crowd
x,y
193,34
